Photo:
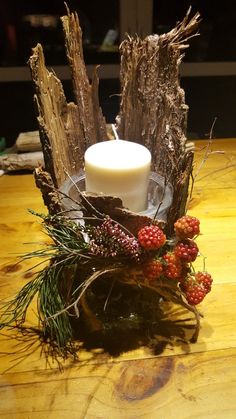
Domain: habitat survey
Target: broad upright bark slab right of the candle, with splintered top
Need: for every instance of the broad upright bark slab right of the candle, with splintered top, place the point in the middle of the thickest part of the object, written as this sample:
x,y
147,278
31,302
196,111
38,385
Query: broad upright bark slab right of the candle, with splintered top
x,y
153,110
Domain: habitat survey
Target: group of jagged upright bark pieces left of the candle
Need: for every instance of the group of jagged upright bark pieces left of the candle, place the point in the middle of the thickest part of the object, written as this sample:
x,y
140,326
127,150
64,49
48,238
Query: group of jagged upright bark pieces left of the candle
x,y
66,129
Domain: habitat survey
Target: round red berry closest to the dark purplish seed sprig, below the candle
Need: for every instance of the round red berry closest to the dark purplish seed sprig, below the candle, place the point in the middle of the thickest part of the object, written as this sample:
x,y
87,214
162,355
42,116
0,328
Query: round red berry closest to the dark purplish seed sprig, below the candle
x,y
151,237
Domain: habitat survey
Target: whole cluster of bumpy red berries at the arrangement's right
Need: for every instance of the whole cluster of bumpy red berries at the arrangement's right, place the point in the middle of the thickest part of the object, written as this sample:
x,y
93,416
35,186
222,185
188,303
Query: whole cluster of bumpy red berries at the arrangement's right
x,y
173,260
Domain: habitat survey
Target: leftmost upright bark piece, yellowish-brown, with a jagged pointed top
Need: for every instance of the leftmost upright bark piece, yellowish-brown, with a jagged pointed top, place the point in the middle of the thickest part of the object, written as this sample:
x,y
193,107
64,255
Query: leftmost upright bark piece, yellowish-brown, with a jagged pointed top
x,y
58,122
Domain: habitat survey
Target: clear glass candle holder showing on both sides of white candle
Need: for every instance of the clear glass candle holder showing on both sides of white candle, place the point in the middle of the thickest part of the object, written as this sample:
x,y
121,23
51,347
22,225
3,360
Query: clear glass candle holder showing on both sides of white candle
x,y
160,195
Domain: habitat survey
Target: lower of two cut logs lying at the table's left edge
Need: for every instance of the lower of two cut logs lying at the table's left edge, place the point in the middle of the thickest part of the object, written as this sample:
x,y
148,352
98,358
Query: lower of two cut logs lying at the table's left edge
x,y
23,161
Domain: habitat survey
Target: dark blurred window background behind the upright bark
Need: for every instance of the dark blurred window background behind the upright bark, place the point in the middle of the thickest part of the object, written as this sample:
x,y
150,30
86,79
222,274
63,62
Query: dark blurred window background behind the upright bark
x,y
208,74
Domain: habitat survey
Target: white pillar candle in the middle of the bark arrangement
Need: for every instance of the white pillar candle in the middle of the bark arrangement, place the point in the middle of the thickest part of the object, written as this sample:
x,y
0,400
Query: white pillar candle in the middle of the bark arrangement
x,y
119,168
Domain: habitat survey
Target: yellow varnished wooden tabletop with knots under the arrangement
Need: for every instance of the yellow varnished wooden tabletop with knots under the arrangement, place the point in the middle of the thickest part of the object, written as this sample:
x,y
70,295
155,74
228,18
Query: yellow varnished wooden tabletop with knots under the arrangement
x,y
194,381
